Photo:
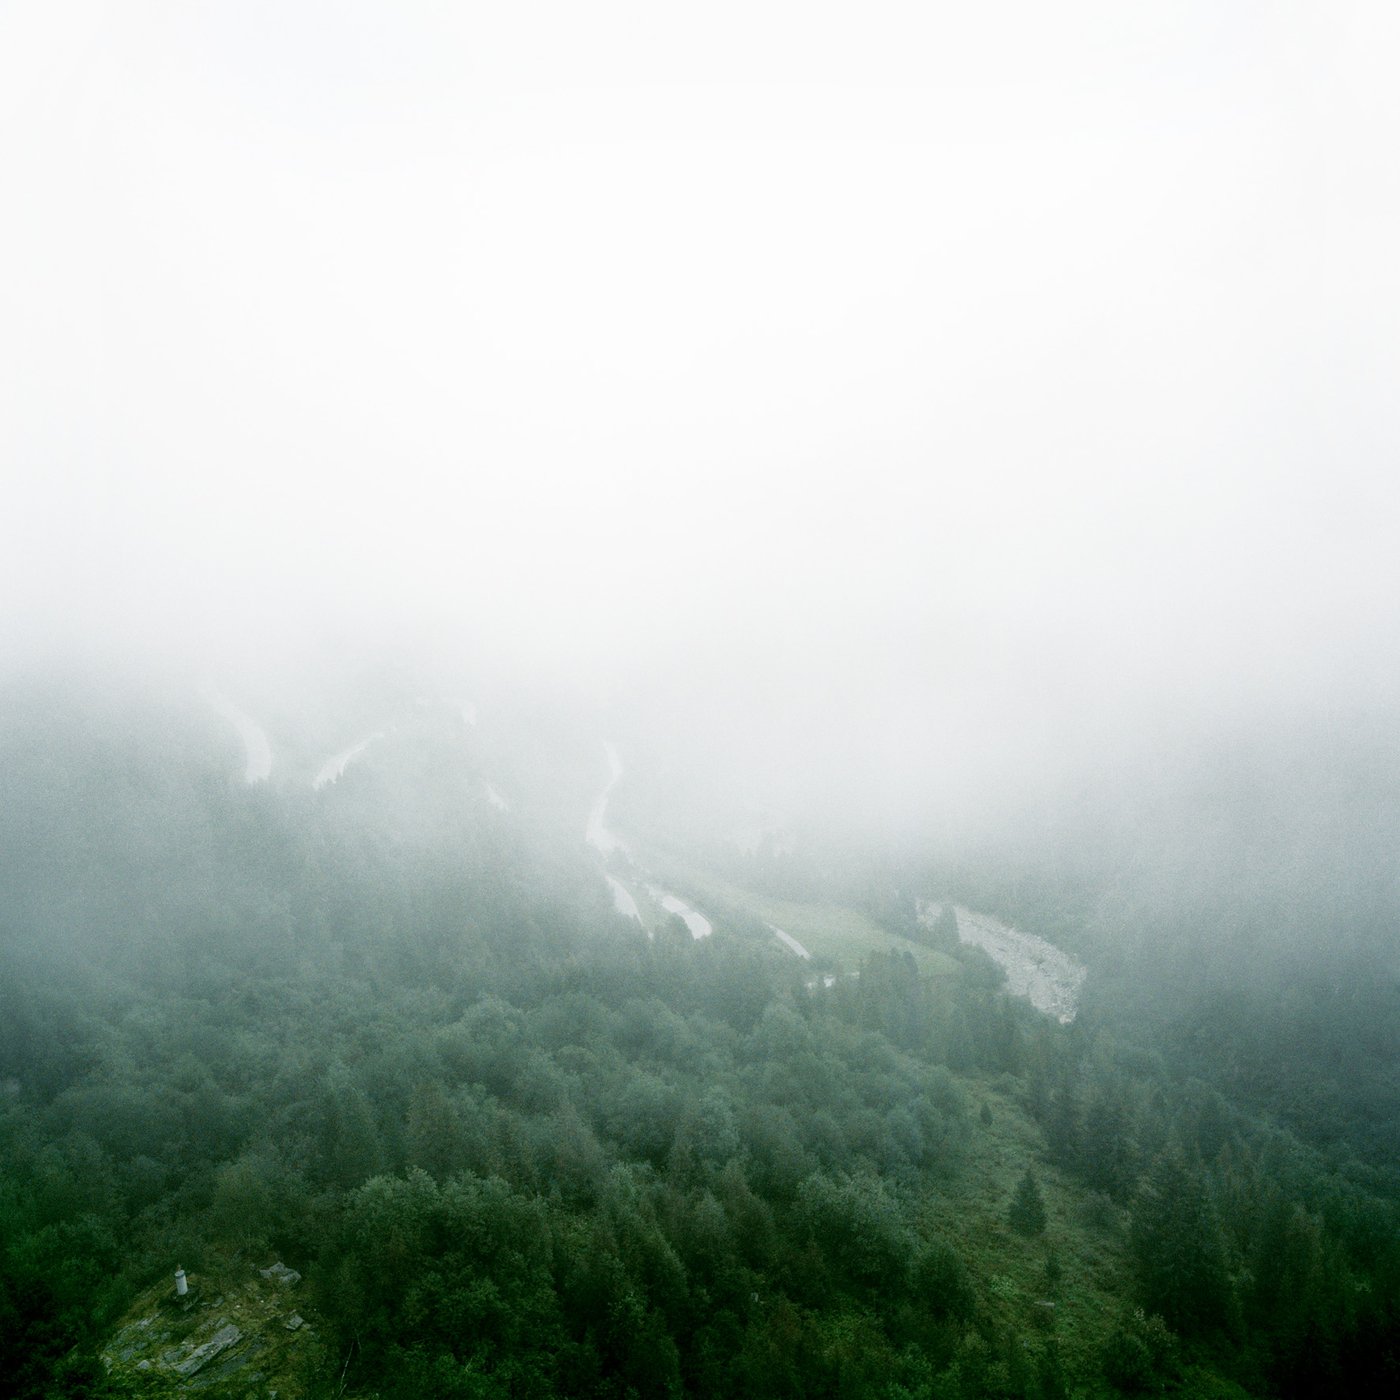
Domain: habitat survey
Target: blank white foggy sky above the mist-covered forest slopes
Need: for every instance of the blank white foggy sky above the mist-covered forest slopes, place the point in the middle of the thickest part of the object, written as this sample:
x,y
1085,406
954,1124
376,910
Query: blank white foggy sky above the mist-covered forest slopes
x,y
975,331
